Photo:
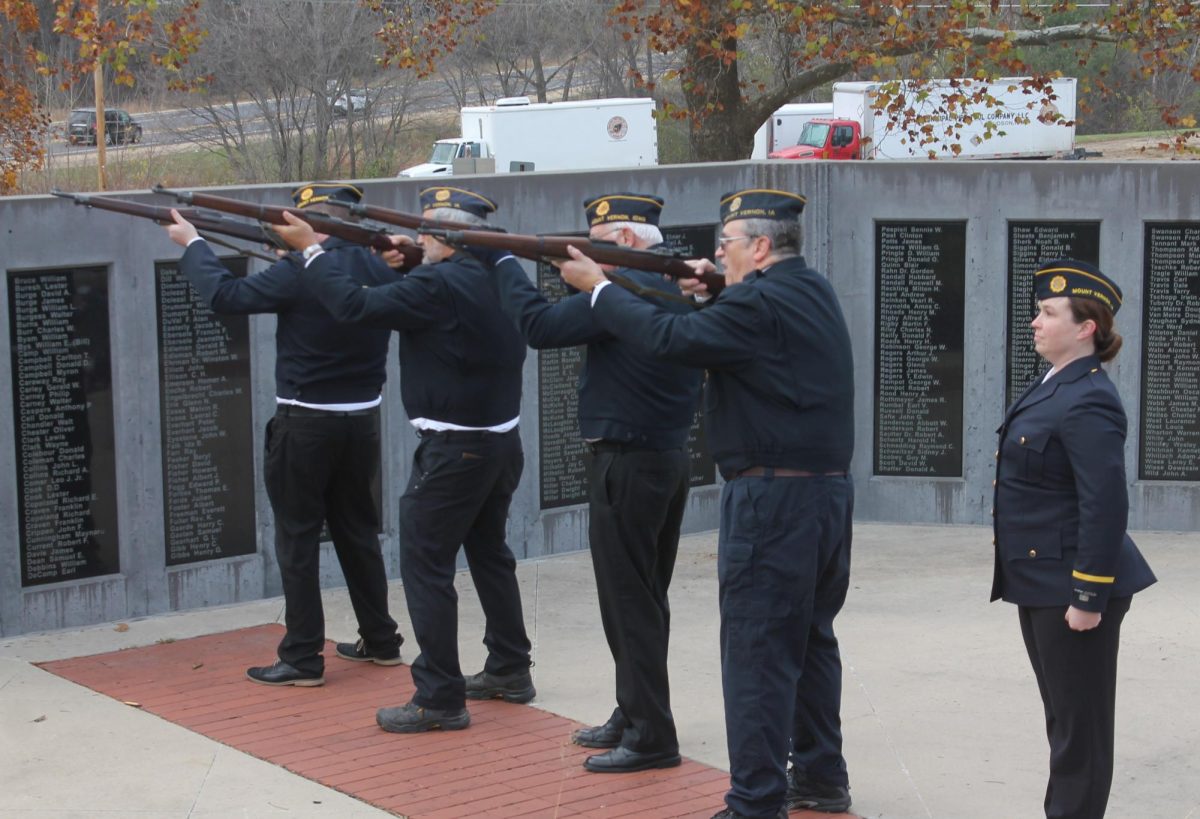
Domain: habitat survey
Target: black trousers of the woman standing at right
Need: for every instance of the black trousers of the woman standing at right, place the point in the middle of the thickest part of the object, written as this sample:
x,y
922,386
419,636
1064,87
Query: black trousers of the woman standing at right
x,y
1077,675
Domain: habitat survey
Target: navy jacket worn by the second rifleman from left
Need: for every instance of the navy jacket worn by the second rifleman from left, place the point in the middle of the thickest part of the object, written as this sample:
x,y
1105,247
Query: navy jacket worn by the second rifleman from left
x,y
460,358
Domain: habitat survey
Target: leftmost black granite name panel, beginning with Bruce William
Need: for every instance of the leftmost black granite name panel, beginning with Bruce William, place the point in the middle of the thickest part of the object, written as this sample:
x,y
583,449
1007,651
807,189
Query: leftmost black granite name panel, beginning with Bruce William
x,y
63,393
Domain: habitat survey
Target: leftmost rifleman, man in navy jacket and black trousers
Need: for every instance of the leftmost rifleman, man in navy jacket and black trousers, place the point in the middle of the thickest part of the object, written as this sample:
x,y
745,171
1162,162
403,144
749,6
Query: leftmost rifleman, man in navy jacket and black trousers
x,y
323,444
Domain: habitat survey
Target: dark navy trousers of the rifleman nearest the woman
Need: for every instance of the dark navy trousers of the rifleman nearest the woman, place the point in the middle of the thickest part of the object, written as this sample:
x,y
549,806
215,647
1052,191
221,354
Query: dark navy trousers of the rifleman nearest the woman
x,y
784,571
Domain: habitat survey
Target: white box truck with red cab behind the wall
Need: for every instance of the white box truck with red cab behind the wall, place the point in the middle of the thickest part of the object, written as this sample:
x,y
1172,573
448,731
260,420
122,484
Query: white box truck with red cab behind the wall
x,y
857,131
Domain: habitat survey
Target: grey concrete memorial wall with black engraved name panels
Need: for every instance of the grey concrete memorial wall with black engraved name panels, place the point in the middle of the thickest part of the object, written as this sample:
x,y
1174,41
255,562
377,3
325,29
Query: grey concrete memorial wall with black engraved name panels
x,y
131,419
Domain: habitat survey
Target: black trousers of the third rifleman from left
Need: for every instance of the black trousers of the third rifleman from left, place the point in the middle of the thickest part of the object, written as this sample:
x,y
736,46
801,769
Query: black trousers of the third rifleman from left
x,y
637,505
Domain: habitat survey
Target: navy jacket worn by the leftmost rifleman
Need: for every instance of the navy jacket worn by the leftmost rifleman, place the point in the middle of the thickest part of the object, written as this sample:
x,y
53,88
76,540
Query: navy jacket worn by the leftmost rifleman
x,y
317,361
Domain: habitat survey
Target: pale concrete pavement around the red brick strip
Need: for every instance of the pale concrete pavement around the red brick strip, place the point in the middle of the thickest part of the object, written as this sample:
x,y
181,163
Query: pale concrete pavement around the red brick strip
x,y
941,713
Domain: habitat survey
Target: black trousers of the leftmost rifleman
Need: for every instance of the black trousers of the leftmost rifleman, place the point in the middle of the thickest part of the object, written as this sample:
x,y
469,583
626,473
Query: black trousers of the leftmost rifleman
x,y
319,469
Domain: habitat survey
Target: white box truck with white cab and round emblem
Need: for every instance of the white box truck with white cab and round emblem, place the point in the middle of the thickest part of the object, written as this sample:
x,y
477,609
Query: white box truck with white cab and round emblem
x,y
518,135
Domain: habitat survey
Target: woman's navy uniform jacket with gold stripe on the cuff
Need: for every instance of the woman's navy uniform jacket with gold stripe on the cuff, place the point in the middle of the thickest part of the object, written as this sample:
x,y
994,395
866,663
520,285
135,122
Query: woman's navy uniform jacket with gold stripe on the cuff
x,y
1061,499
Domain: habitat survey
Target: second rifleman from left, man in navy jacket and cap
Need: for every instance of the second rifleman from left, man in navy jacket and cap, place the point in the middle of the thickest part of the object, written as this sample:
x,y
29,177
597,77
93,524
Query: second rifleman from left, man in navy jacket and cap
x,y
460,368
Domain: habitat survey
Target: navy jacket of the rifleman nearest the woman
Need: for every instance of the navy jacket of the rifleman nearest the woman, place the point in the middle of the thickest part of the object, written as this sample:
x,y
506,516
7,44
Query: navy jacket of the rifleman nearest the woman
x,y
781,390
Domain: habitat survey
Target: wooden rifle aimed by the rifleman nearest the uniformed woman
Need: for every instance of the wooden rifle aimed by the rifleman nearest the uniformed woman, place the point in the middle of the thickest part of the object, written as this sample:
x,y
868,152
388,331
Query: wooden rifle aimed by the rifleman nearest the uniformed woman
x,y
539,248
